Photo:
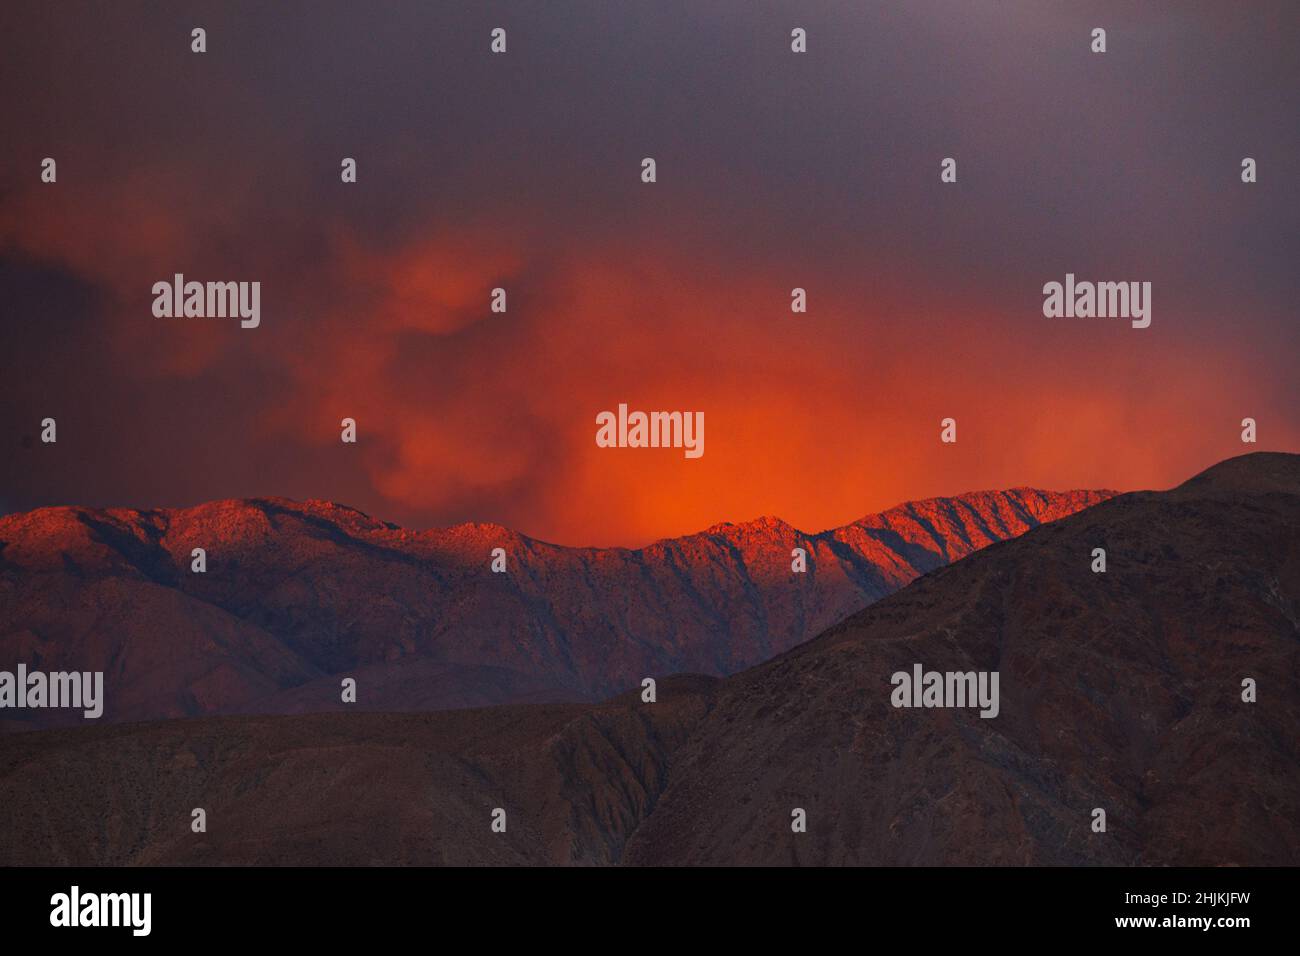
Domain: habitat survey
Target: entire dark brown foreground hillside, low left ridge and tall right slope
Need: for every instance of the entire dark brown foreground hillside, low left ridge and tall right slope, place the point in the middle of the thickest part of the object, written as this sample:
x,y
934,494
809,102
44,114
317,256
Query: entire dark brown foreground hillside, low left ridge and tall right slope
x,y
1120,691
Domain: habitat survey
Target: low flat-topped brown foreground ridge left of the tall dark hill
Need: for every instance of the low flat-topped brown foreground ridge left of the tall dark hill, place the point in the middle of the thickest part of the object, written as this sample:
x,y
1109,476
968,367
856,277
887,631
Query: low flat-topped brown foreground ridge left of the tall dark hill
x,y
358,789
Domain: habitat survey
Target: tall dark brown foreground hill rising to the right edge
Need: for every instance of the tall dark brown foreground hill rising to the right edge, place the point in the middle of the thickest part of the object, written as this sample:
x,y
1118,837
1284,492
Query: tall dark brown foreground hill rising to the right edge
x,y
1120,691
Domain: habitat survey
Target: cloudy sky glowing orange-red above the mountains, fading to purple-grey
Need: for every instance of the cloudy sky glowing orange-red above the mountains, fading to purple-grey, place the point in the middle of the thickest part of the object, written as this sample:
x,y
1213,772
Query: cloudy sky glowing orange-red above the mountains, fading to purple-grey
x,y
523,171
